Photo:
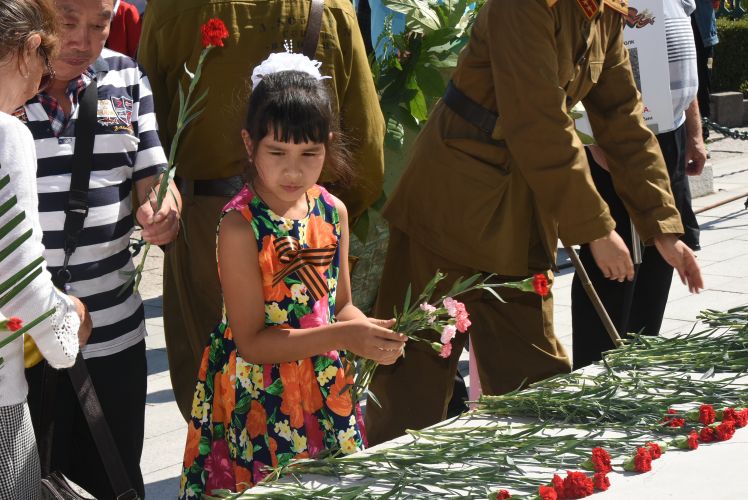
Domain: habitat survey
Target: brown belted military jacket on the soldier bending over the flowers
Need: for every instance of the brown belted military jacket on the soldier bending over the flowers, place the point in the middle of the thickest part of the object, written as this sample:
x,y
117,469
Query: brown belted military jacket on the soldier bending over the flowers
x,y
481,200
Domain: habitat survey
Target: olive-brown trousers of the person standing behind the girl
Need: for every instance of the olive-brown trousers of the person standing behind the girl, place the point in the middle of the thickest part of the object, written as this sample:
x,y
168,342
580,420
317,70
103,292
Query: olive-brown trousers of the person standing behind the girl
x,y
192,294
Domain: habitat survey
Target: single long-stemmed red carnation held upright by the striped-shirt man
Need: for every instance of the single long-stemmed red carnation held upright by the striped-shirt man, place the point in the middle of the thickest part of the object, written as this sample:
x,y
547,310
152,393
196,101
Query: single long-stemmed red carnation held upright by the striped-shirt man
x,y
212,34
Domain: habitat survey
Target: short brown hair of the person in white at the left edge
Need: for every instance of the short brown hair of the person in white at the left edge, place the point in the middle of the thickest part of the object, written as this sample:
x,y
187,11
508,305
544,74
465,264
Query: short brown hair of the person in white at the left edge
x,y
20,19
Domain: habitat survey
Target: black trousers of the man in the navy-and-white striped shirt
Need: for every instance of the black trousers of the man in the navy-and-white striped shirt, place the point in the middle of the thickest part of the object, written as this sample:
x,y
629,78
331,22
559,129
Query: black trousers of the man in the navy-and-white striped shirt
x,y
120,383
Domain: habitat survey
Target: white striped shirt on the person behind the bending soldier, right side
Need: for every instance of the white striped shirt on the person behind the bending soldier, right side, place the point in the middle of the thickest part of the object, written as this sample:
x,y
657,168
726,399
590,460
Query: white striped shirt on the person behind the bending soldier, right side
x,y
681,55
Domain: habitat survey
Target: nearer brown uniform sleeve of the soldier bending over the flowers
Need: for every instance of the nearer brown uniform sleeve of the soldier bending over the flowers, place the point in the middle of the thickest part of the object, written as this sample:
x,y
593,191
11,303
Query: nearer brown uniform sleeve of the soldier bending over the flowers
x,y
538,131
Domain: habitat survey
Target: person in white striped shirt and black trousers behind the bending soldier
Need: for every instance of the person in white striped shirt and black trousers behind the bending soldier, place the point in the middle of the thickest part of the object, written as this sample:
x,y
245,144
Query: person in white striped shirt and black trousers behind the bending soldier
x,y
638,305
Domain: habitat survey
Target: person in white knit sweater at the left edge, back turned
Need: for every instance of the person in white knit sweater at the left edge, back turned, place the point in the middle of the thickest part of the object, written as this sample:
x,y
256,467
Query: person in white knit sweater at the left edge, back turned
x,y
28,38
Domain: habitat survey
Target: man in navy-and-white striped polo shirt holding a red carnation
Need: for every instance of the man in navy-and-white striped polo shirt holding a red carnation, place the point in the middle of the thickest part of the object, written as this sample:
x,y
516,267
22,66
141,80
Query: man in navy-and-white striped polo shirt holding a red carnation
x,y
126,155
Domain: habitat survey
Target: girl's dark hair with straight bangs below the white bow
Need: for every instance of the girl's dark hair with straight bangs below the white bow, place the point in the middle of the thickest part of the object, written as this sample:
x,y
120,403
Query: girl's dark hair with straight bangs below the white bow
x,y
296,107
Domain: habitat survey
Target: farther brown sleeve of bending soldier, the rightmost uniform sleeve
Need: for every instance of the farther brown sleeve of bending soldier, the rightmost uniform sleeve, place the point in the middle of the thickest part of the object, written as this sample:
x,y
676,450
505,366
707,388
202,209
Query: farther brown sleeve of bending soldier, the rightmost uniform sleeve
x,y
636,165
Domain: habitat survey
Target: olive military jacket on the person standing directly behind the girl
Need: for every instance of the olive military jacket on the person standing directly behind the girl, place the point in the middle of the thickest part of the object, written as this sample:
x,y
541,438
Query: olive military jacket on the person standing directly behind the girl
x,y
211,147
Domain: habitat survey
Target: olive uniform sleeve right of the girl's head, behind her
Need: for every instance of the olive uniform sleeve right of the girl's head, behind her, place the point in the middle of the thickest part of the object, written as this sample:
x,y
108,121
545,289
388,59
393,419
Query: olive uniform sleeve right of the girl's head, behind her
x,y
361,120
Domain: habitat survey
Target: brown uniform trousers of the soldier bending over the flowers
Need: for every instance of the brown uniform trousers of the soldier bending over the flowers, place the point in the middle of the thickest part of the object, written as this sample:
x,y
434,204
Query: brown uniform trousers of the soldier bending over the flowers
x,y
514,343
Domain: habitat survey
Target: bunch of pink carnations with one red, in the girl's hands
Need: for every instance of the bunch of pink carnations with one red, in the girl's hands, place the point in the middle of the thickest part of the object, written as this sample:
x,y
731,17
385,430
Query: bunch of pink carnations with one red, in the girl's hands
x,y
421,319
